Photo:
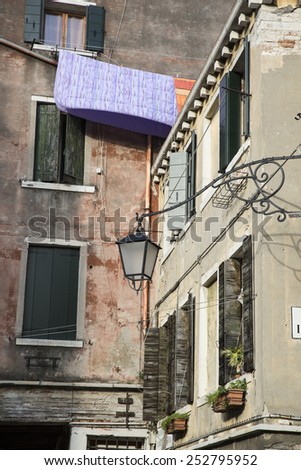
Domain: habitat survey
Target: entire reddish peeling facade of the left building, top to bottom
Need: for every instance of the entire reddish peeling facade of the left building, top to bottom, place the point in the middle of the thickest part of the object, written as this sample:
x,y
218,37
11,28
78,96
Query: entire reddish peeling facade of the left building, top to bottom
x,y
72,391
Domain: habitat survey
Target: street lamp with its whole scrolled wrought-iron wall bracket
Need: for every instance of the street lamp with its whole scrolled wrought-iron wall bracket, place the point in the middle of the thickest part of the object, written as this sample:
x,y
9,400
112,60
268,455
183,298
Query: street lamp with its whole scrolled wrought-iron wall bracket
x,y
139,254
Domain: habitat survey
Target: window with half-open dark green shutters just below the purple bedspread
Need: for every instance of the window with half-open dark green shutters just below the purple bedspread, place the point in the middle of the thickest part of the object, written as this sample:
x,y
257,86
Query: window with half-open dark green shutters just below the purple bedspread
x,y
59,146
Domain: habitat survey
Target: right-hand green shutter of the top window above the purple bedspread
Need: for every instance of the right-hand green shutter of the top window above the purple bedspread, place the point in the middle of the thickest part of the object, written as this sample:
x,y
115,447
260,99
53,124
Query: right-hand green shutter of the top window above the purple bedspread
x,y
95,28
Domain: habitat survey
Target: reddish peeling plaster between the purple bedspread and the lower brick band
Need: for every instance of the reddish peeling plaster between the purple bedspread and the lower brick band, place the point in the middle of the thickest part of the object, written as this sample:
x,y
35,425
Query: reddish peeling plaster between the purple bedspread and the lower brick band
x,y
112,338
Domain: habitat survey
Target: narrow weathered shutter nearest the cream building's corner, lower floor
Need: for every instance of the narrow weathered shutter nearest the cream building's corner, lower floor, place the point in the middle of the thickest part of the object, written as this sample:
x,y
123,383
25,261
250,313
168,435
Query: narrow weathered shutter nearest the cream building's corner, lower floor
x,y
247,304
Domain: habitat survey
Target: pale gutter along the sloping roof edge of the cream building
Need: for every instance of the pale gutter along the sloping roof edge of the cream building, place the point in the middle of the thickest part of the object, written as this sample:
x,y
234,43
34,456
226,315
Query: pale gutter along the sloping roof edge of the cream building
x,y
192,95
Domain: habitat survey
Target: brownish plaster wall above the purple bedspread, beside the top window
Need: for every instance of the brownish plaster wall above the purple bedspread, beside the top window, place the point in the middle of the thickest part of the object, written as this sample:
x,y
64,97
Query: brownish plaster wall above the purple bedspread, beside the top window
x,y
171,37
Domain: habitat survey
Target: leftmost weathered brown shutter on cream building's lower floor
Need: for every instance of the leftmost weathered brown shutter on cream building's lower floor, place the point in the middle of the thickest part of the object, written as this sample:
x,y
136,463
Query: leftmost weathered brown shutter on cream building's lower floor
x,y
151,375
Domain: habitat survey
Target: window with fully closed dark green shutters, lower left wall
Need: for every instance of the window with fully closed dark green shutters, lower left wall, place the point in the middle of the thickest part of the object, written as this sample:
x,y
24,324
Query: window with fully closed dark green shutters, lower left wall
x,y
51,292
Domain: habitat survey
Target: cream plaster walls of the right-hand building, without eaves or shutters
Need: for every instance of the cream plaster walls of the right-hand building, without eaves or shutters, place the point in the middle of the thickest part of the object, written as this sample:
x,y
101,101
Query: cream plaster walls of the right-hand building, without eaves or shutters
x,y
275,102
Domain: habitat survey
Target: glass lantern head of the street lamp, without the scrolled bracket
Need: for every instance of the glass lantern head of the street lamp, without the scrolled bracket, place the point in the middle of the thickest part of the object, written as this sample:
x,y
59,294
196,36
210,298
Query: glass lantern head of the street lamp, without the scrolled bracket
x,y
138,255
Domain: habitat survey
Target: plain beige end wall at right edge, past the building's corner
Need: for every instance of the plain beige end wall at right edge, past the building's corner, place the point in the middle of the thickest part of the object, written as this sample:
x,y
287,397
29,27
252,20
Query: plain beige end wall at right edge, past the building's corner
x,y
277,68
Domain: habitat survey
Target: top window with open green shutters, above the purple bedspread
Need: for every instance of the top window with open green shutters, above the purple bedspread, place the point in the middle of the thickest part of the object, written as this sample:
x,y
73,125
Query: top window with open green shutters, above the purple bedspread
x,y
64,25
